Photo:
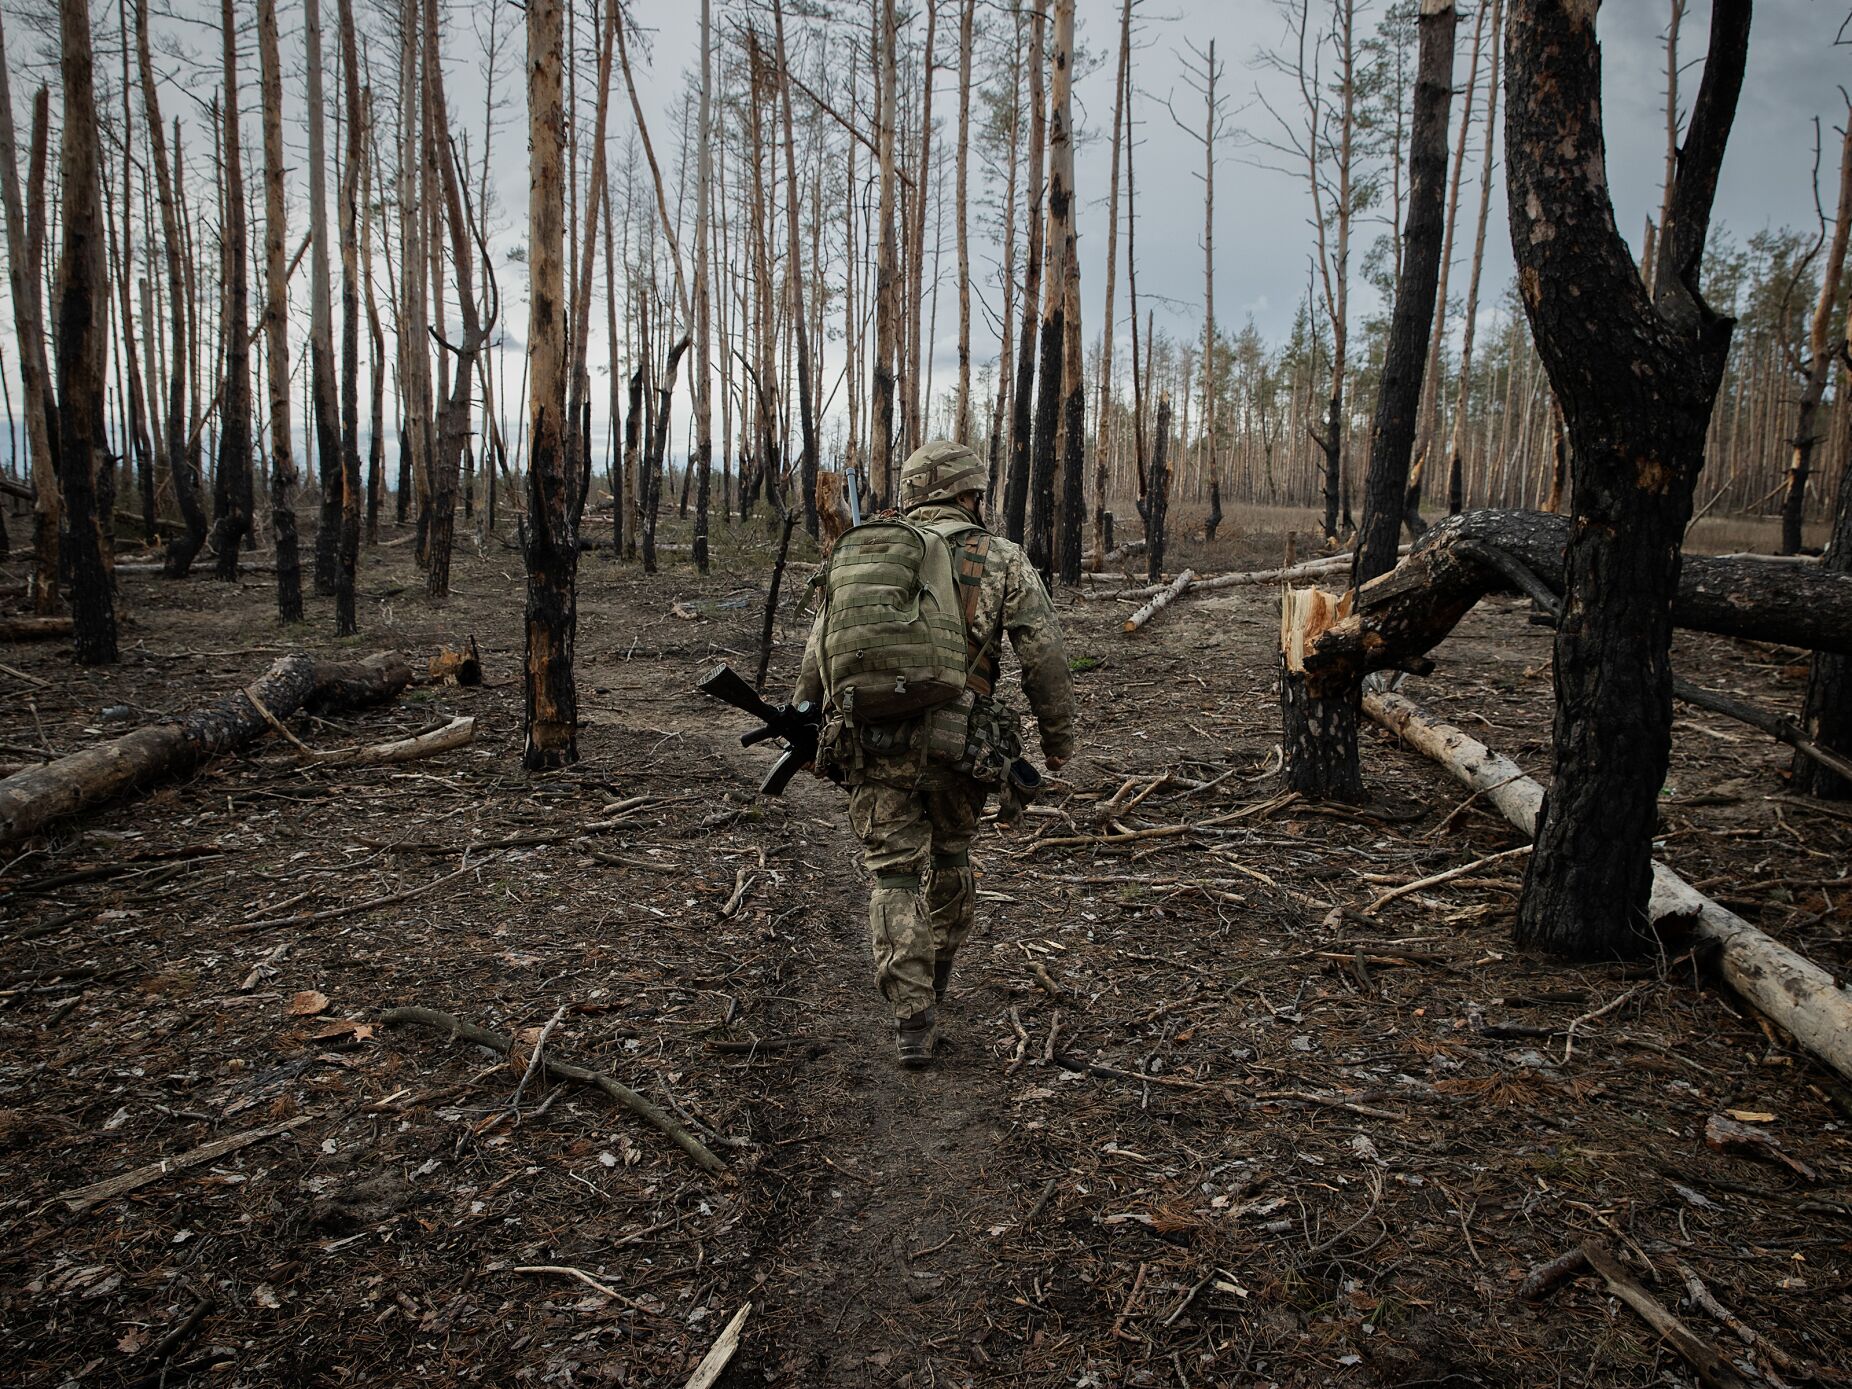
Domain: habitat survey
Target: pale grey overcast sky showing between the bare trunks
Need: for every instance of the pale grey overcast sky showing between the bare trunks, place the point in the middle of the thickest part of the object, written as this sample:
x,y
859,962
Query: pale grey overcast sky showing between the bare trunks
x,y
1262,216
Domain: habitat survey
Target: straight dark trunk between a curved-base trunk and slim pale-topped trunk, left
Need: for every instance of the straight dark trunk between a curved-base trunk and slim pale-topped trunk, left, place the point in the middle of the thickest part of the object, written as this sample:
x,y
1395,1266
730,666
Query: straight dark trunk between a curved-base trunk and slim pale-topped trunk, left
x,y
232,486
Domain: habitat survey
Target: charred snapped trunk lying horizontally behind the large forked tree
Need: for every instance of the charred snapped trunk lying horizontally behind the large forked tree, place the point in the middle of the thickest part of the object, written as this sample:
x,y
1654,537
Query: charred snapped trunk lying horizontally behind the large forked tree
x,y
1410,610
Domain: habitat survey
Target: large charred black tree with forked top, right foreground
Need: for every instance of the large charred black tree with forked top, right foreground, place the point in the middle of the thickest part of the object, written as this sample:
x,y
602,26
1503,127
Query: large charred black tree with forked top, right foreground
x,y
1638,379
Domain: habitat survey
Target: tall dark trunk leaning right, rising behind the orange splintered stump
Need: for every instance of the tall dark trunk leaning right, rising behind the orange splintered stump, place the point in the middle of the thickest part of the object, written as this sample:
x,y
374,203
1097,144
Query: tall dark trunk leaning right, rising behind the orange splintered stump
x,y
1412,323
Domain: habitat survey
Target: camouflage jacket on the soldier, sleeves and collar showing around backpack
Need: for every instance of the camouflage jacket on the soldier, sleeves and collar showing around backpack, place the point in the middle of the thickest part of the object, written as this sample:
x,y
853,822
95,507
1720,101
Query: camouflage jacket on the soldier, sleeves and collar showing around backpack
x,y
1012,601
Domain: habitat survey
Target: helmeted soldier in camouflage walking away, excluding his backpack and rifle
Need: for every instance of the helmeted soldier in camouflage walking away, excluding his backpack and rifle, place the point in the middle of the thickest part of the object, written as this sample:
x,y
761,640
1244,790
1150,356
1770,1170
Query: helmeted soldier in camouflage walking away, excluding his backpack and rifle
x,y
916,790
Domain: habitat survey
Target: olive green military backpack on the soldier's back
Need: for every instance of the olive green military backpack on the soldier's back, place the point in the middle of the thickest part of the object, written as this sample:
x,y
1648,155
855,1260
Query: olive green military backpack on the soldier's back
x,y
894,627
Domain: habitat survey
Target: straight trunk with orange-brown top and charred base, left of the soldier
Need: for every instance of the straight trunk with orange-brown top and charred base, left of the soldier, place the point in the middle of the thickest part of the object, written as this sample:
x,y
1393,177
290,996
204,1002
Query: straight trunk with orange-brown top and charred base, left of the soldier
x,y
549,534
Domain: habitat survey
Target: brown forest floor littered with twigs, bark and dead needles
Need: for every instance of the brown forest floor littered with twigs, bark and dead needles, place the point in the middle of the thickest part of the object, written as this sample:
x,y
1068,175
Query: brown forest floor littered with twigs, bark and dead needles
x,y
1201,1120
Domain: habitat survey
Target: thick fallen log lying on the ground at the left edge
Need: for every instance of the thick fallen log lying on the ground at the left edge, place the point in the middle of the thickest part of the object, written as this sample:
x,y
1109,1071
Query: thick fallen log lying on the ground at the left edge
x,y
42,795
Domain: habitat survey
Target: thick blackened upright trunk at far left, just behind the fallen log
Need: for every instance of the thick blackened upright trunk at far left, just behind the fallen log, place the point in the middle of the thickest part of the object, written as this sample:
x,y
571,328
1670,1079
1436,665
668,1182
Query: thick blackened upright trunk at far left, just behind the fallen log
x,y
84,345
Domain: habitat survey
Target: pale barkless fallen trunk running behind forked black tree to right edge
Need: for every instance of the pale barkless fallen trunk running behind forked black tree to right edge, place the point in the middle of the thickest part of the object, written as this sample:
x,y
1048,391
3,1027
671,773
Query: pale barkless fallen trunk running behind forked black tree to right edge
x,y
1786,988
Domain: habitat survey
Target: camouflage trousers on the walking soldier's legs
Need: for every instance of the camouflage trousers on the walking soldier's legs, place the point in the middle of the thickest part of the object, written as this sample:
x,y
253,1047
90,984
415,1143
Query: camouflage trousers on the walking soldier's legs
x,y
916,840
